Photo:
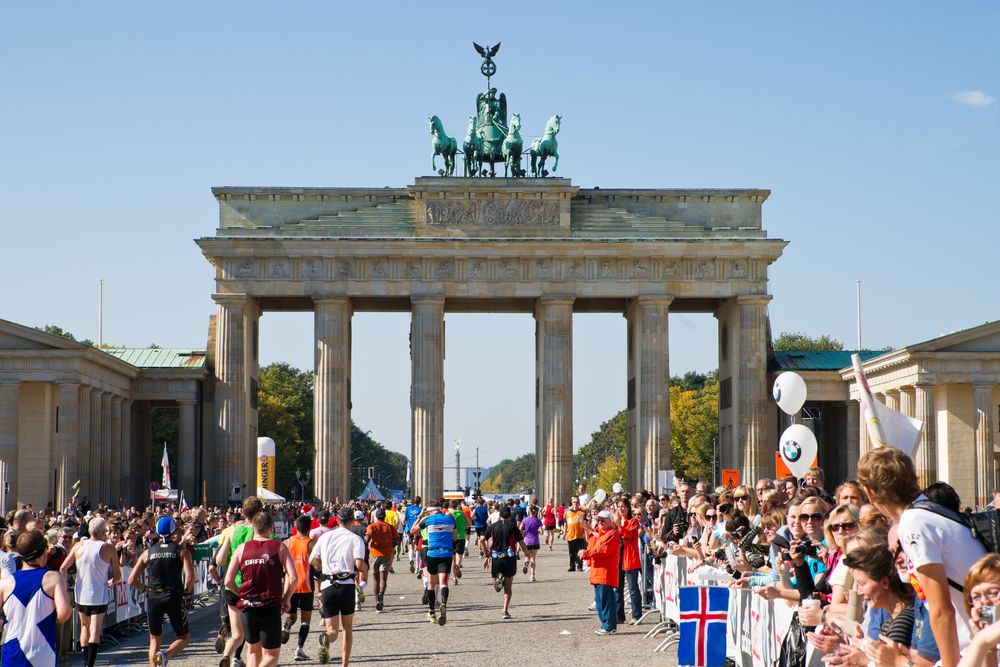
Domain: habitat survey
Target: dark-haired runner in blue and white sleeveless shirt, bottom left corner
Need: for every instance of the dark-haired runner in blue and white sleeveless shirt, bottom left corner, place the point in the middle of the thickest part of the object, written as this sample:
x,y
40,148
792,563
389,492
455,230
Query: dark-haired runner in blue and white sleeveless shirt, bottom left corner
x,y
41,601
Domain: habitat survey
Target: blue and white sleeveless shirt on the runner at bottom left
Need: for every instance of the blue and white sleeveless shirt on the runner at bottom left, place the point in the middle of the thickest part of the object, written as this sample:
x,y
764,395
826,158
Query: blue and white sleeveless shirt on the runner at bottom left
x,y
31,622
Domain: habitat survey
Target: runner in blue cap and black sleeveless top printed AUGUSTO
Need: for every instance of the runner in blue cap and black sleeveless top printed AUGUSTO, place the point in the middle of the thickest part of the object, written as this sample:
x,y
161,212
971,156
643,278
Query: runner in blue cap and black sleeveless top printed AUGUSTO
x,y
169,576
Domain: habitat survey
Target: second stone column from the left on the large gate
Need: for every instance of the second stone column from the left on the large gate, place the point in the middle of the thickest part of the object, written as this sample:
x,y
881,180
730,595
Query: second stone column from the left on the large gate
x,y
332,399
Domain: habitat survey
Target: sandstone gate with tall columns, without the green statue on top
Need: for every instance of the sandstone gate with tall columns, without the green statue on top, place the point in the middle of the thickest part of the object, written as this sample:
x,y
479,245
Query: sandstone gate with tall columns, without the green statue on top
x,y
532,245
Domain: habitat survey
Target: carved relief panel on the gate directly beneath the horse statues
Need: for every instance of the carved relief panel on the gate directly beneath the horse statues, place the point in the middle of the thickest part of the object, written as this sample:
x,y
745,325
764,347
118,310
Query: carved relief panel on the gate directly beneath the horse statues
x,y
491,213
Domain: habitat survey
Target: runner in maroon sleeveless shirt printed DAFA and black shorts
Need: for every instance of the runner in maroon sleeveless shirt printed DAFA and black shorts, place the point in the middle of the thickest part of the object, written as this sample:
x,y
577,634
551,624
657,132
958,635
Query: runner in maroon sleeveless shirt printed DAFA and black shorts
x,y
268,580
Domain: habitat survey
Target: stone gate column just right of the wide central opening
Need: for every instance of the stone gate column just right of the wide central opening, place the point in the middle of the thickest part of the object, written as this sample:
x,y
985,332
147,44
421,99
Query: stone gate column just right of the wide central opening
x,y
554,377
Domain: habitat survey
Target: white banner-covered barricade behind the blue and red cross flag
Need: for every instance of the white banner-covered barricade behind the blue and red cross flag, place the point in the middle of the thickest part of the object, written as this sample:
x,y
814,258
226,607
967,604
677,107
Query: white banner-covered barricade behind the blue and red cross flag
x,y
755,627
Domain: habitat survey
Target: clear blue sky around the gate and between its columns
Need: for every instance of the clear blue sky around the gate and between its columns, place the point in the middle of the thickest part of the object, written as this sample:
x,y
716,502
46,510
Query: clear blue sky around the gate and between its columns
x,y
874,125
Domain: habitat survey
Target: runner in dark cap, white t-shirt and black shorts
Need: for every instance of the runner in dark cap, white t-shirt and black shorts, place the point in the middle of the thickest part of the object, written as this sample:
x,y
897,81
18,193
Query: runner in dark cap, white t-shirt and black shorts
x,y
338,554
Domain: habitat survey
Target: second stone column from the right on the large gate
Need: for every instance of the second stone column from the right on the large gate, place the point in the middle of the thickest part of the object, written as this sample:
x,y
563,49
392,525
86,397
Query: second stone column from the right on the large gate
x,y
649,392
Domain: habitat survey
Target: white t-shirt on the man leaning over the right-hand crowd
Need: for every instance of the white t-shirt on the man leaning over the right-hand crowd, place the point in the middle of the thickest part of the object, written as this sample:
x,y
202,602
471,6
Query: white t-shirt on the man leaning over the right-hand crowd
x,y
929,538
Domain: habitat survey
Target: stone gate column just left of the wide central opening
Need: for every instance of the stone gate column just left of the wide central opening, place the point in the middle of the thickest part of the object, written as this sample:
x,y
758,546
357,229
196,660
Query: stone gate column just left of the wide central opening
x,y
427,395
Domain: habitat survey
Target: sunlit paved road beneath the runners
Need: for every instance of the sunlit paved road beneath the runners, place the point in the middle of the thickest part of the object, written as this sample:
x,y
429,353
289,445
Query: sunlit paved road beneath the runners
x,y
550,625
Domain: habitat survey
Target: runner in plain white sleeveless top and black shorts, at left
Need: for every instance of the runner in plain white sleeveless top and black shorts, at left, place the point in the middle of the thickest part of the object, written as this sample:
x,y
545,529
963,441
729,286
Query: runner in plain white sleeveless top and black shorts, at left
x,y
95,559
